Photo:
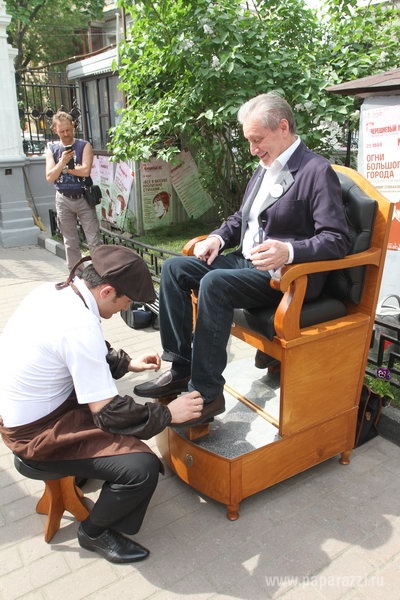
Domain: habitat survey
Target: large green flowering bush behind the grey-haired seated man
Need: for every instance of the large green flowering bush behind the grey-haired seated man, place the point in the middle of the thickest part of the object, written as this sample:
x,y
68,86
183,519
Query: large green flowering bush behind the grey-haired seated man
x,y
188,65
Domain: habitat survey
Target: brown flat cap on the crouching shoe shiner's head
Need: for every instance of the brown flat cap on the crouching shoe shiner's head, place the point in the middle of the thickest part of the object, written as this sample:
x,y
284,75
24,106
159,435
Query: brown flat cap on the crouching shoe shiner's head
x,y
125,270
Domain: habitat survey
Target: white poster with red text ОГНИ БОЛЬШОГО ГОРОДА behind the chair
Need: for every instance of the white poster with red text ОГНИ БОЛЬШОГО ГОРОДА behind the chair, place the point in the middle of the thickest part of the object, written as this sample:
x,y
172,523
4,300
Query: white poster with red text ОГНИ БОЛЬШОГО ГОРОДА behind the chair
x,y
379,157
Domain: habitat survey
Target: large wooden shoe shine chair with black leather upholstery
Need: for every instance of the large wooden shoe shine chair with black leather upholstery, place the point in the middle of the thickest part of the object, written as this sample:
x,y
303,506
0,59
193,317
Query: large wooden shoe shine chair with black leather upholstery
x,y
322,347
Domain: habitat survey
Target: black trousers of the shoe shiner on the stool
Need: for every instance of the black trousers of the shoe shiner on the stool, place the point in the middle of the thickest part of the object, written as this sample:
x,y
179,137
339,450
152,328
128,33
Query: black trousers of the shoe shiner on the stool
x,y
129,483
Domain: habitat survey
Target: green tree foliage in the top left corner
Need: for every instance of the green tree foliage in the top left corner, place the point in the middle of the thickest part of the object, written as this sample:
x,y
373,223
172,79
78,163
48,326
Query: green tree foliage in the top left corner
x,y
45,31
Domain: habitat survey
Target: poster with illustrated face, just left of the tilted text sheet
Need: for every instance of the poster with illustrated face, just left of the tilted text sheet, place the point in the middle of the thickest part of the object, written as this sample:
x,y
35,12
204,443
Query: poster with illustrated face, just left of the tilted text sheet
x,y
156,192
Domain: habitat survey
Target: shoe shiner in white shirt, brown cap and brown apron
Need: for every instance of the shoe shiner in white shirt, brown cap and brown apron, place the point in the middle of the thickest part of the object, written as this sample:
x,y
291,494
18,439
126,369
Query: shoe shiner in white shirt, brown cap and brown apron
x,y
60,405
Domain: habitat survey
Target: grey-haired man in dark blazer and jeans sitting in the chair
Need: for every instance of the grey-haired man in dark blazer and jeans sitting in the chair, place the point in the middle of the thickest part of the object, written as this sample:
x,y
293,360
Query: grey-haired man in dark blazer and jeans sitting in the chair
x,y
291,212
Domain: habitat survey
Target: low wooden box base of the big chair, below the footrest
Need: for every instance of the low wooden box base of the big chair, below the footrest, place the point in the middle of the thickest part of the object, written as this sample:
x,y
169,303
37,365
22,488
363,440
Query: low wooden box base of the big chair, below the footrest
x,y
230,481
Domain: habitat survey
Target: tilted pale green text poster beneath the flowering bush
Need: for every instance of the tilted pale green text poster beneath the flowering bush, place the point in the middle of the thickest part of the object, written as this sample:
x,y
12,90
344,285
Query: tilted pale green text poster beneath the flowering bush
x,y
185,179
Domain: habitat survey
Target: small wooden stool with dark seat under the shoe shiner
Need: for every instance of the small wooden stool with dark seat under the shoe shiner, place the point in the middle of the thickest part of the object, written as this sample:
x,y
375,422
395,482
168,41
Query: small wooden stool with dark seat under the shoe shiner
x,y
60,494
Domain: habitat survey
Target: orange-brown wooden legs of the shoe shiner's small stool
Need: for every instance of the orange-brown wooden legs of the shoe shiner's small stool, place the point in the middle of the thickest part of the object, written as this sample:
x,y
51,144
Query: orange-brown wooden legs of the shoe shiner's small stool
x,y
60,495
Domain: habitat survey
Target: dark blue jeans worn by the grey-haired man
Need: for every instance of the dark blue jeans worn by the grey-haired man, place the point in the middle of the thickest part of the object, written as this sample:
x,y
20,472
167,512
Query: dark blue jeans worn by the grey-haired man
x,y
230,282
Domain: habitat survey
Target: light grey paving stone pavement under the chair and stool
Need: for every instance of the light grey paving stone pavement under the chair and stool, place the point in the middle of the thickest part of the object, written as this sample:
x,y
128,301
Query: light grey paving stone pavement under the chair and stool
x,y
332,532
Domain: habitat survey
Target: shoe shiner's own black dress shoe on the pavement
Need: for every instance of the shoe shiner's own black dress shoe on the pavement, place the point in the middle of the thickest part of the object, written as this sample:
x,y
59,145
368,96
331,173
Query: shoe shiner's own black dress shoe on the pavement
x,y
113,546
